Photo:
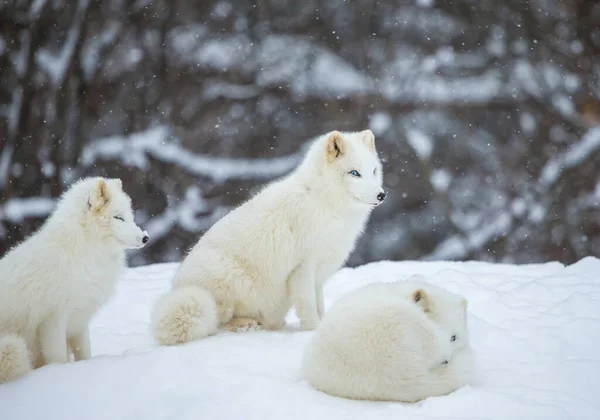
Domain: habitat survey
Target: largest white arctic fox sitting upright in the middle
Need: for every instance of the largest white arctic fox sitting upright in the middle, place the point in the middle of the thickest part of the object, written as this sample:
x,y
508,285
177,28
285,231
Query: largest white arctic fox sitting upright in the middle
x,y
277,249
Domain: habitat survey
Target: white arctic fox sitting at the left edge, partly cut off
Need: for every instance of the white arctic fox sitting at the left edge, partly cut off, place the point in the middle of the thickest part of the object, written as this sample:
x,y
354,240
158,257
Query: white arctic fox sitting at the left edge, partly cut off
x,y
52,284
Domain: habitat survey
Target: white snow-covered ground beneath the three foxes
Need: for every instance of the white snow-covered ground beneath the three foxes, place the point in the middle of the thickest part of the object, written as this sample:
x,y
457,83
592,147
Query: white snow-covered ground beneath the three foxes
x,y
535,329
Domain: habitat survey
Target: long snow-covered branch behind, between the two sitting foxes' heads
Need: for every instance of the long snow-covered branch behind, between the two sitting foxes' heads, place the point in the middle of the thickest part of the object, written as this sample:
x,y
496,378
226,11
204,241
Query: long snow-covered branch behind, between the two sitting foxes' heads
x,y
158,143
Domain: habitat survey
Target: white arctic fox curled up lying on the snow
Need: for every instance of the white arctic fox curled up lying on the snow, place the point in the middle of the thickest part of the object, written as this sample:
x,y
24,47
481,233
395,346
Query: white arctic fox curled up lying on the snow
x,y
403,341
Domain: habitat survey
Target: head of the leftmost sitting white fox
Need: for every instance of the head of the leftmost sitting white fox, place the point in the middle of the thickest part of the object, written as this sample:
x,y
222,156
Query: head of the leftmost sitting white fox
x,y
109,216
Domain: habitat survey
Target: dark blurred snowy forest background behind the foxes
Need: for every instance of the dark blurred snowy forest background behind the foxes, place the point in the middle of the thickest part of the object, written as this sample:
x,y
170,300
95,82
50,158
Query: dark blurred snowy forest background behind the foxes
x,y
486,115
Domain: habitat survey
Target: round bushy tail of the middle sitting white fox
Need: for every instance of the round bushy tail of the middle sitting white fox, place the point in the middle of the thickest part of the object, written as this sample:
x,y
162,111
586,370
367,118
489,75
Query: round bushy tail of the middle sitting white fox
x,y
184,314
